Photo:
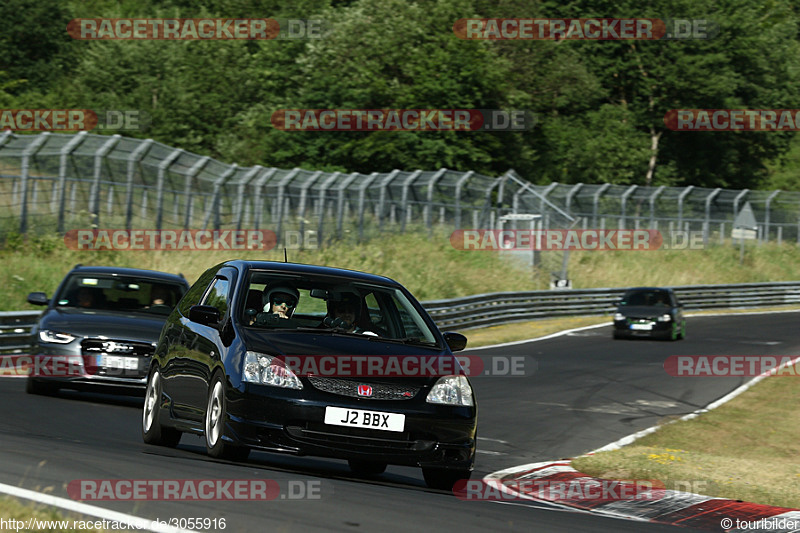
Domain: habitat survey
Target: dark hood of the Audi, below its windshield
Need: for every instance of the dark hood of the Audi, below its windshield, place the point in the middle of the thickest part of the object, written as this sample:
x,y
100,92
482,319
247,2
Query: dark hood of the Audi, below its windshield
x,y
114,325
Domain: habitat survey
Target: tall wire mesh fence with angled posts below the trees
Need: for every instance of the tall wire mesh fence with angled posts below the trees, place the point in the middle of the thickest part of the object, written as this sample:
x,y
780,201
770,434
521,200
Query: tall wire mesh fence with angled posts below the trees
x,y
58,182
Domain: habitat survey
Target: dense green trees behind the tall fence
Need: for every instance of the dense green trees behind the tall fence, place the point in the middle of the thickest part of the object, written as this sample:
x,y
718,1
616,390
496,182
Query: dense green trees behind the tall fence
x,y
600,104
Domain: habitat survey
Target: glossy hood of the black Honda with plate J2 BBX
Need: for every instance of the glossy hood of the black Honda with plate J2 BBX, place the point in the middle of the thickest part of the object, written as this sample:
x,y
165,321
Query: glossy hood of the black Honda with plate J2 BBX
x,y
292,343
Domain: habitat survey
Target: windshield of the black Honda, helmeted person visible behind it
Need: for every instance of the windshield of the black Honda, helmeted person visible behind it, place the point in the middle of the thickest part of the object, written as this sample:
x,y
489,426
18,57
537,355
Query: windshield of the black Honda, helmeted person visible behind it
x,y
280,301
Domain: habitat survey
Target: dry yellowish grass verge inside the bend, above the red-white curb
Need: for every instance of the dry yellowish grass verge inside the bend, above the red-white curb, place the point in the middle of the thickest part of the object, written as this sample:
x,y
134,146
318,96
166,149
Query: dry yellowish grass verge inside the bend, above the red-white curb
x,y
744,450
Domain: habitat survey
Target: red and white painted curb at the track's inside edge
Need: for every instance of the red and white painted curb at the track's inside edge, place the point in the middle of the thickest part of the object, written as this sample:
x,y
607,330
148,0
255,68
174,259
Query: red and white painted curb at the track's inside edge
x,y
670,507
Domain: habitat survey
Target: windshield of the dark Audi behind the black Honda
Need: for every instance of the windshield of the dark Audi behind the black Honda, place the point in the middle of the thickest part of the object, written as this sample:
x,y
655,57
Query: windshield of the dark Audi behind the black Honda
x,y
119,293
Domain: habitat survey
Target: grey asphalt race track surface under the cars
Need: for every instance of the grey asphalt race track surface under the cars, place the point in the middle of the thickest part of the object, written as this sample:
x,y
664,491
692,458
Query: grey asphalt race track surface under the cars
x,y
587,391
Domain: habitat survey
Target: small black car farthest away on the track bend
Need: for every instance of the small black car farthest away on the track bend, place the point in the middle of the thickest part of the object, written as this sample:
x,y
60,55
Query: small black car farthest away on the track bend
x,y
649,312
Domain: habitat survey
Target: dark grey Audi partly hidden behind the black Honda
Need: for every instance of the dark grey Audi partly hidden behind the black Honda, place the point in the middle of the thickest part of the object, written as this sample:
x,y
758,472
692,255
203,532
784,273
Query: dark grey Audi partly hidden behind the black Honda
x,y
100,328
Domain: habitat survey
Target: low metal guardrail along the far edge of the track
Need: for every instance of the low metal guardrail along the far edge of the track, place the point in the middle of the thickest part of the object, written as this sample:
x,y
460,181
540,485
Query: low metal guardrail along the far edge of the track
x,y
508,307
